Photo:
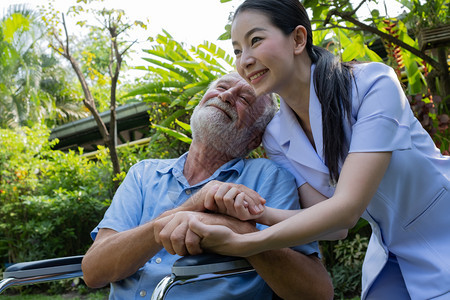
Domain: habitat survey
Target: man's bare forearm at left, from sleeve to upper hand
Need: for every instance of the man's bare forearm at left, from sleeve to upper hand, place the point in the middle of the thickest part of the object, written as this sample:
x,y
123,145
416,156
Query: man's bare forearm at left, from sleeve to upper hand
x,y
116,255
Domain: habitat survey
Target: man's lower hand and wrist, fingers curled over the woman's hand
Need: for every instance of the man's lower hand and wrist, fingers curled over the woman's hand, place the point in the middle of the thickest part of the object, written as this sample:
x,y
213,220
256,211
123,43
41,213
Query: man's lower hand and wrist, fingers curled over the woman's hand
x,y
173,232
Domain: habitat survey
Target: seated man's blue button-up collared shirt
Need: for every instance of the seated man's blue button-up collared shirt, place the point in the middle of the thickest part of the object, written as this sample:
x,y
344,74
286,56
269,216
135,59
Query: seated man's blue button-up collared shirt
x,y
154,186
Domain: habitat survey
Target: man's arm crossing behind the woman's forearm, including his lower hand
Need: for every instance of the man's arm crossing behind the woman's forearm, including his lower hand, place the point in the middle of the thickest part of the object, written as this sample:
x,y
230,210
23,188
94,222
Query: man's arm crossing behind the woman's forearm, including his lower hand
x,y
290,274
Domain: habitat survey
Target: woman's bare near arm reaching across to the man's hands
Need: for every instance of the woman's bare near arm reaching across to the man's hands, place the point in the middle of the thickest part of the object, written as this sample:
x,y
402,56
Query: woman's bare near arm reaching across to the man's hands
x,y
358,182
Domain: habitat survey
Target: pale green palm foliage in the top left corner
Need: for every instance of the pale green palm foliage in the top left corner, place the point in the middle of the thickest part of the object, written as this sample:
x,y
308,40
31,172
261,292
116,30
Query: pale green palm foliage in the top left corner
x,y
33,86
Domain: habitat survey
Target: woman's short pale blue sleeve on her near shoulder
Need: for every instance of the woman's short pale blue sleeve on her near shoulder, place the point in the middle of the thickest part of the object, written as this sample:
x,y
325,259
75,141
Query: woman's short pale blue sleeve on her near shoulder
x,y
381,111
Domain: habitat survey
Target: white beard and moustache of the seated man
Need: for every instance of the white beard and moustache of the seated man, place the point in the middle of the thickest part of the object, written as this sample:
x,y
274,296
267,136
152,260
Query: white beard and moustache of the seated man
x,y
213,127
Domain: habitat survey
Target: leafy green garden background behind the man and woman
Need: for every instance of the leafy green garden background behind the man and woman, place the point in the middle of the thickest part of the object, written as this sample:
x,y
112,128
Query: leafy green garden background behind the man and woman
x,y
51,199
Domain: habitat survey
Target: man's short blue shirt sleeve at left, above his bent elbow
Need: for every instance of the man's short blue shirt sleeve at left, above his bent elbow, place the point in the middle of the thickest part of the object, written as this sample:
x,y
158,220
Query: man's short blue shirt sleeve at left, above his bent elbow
x,y
125,211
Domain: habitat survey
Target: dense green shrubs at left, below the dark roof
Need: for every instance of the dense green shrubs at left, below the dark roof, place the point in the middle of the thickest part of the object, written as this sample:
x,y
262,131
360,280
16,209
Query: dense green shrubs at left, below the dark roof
x,y
49,200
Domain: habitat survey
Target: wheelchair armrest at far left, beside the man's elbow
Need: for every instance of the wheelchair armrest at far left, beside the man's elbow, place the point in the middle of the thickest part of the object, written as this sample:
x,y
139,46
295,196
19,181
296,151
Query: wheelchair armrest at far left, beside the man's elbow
x,y
41,271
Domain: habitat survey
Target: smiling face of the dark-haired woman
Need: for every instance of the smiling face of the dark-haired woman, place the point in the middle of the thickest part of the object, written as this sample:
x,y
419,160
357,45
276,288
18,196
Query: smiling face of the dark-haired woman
x,y
264,54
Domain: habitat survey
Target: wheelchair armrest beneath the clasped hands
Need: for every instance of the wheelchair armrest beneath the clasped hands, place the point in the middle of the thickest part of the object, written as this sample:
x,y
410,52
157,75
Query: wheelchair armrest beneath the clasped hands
x,y
208,263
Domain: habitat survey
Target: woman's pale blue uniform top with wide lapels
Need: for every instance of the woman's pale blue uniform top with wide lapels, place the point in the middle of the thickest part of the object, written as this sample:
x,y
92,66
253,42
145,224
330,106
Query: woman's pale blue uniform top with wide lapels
x,y
409,213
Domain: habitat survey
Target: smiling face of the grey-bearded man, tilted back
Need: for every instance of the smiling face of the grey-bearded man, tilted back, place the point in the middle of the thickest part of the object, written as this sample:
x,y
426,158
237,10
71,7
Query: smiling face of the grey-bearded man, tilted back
x,y
224,116
